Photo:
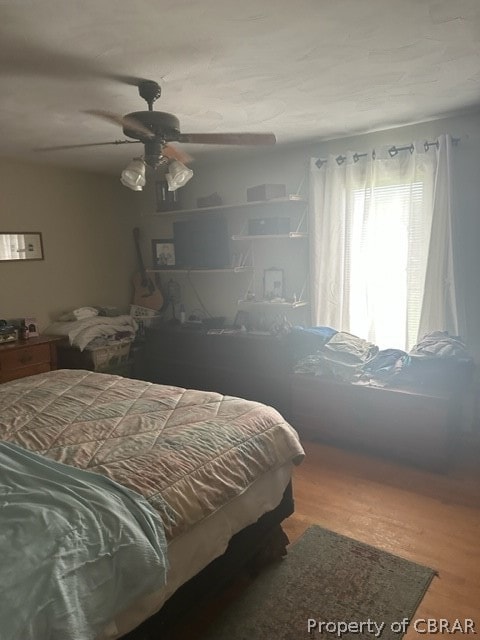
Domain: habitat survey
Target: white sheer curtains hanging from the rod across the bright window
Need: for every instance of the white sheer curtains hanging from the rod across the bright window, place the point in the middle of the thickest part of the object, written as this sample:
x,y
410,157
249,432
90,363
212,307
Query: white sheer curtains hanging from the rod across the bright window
x,y
381,246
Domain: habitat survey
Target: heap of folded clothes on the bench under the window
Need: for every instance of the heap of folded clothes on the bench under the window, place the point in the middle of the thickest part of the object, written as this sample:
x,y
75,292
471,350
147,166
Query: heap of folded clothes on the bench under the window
x,y
439,362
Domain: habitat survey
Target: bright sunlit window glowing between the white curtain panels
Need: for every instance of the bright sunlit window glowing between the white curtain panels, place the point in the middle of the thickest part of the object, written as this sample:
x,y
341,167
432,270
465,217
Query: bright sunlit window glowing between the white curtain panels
x,y
386,257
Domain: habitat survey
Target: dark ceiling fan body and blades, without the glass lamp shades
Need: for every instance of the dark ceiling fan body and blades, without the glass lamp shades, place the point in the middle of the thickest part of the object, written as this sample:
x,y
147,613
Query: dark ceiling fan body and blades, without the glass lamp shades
x,y
157,129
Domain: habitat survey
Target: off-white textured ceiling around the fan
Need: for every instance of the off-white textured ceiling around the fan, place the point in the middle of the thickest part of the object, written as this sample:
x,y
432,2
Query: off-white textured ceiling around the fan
x,y
306,70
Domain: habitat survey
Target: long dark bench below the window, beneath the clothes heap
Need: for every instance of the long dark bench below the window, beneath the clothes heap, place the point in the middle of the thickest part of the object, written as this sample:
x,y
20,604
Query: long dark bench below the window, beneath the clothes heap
x,y
419,428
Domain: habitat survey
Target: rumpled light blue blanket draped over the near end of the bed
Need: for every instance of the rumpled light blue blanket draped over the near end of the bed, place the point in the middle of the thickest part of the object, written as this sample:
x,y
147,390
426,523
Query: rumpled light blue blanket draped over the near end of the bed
x,y
75,549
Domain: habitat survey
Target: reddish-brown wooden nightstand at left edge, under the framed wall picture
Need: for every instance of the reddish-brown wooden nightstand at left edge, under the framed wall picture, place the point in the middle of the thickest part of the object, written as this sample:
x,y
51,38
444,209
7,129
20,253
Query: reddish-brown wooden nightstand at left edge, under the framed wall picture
x,y
28,357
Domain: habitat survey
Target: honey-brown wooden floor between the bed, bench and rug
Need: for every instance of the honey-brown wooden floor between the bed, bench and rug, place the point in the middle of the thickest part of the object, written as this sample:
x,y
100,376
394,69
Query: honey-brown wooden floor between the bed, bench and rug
x,y
430,518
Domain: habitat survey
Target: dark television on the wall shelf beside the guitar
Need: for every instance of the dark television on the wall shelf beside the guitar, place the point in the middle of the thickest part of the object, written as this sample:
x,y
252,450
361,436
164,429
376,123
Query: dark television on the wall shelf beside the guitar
x,y
202,243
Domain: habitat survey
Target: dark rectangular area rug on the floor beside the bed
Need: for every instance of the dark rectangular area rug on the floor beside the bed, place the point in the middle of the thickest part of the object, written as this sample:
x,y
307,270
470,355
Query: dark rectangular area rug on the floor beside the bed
x,y
328,586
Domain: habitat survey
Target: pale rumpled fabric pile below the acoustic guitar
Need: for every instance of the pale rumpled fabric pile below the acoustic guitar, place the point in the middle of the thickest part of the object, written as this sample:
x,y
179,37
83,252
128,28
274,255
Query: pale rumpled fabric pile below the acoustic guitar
x,y
93,327
